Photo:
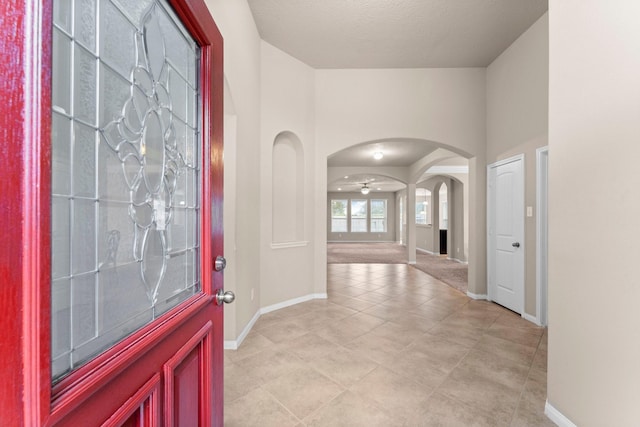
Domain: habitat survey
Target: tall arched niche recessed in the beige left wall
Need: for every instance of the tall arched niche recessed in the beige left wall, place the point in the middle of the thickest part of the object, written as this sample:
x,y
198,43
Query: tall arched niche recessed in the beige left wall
x,y
287,188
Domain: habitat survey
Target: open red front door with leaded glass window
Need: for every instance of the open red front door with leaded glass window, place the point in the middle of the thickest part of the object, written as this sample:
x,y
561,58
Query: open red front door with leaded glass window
x,y
111,213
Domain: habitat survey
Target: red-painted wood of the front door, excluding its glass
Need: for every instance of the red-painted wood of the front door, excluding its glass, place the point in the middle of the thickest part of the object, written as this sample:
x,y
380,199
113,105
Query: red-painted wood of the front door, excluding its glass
x,y
168,372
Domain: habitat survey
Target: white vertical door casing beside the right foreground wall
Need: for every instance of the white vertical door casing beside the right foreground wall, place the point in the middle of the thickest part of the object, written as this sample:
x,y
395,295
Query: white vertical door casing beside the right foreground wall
x,y
542,287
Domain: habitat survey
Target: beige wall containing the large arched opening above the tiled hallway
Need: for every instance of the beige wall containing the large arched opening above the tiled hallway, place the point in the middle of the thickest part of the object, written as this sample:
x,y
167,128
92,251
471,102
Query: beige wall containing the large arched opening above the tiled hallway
x,y
446,106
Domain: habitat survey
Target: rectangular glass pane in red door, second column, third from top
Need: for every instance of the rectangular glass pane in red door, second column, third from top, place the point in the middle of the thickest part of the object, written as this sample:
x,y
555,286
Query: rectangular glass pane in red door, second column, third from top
x,y
84,161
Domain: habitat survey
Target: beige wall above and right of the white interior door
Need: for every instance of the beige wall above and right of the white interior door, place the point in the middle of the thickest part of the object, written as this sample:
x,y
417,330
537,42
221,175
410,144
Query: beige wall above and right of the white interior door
x,y
517,122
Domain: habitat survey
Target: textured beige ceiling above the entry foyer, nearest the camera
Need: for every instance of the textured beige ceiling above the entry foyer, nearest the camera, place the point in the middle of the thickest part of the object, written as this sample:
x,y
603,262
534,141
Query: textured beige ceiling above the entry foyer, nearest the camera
x,y
394,33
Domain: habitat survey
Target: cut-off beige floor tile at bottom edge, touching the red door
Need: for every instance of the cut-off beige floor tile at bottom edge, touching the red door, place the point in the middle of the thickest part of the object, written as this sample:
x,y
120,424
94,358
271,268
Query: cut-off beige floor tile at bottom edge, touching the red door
x,y
258,408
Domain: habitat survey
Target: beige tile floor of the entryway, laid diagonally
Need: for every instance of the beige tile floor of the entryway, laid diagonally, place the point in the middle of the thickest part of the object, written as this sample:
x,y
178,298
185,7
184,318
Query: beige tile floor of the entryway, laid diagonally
x,y
391,346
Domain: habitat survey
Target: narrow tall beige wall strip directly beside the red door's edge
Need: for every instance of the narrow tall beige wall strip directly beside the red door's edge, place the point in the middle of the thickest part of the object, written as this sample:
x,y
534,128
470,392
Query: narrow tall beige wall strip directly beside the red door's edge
x,y
242,74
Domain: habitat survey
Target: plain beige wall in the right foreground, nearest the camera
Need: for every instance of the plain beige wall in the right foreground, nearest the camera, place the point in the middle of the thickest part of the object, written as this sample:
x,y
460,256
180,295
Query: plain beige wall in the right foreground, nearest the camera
x,y
594,212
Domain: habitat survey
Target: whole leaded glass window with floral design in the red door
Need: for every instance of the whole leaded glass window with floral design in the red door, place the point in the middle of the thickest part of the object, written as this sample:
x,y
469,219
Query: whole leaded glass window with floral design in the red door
x,y
126,176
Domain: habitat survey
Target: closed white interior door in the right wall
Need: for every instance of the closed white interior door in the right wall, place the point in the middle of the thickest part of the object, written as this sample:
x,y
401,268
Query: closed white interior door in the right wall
x,y
506,233
